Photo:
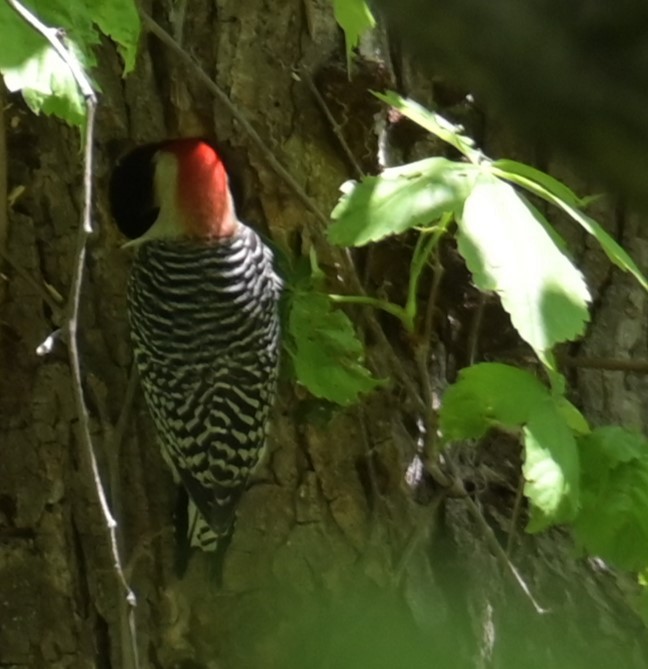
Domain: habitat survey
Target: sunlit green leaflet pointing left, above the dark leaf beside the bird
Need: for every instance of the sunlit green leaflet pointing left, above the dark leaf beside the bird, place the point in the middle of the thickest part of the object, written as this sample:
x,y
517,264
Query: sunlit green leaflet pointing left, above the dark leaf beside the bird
x,y
400,198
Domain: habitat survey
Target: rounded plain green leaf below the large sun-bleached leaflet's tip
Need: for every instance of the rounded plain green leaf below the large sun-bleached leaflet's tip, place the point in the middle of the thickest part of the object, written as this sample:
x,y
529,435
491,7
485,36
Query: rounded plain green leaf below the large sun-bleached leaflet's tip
x,y
486,395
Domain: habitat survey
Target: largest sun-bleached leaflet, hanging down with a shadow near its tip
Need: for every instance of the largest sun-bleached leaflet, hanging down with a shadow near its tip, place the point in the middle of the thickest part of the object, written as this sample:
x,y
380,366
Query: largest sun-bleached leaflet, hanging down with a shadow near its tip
x,y
508,250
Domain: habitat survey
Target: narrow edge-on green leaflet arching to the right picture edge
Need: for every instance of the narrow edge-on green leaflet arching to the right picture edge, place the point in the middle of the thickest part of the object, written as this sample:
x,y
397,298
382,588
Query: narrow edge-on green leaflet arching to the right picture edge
x,y
559,195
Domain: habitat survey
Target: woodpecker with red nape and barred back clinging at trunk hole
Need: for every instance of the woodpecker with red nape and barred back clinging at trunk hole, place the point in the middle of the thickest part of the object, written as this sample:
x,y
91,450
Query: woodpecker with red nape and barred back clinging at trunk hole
x,y
203,307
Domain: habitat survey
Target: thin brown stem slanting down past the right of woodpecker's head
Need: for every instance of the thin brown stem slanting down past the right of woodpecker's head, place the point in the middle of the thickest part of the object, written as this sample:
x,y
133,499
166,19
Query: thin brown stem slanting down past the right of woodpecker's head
x,y
342,258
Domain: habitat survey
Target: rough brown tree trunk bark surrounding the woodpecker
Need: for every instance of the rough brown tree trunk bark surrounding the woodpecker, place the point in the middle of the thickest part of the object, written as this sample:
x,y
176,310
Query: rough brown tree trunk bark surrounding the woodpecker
x,y
332,562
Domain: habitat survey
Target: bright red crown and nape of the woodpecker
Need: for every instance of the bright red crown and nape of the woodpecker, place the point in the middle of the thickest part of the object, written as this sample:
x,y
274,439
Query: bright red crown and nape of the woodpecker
x,y
203,191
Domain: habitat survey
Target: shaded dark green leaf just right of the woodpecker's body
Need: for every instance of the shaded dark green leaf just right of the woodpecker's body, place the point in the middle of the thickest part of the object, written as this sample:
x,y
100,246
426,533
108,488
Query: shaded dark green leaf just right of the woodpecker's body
x,y
327,355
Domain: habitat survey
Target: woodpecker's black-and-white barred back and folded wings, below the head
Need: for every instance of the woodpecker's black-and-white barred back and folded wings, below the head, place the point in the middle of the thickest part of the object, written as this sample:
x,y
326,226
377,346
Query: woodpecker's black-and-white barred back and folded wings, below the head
x,y
205,331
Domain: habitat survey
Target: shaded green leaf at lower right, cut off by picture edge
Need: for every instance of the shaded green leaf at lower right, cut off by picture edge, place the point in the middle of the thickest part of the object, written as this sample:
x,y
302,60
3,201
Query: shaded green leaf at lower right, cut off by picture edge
x,y
613,521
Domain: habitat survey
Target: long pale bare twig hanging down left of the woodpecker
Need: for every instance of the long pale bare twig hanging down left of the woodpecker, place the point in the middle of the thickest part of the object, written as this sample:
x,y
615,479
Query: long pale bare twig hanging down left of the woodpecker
x,y
74,301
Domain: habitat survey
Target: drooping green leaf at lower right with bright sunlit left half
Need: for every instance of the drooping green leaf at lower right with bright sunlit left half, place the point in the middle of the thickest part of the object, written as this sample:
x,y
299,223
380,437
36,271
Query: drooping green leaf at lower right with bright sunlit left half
x,y
551,467
